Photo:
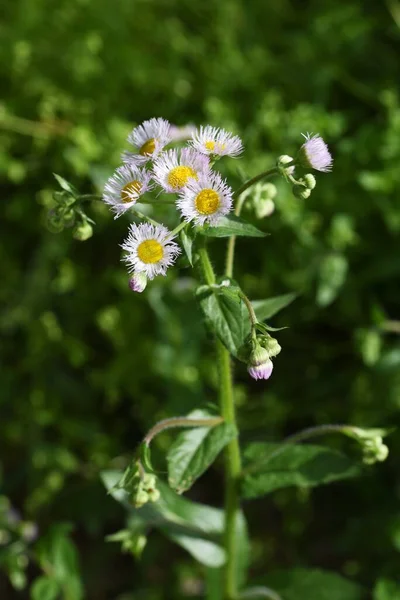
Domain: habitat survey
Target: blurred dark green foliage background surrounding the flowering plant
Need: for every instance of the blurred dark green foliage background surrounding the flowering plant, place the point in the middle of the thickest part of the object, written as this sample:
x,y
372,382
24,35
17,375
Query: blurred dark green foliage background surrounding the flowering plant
x,y
87,366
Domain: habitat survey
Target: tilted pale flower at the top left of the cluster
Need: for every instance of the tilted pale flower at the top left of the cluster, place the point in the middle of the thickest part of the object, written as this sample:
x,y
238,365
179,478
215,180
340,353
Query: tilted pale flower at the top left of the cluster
x,y
149,139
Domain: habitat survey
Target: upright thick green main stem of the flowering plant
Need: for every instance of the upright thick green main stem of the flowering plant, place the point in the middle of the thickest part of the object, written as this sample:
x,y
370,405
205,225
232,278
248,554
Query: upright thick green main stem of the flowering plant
x,y
232,452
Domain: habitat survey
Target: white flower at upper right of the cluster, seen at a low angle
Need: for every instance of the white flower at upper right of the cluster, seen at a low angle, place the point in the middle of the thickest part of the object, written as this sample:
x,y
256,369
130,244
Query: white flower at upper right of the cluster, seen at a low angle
x,y
216,141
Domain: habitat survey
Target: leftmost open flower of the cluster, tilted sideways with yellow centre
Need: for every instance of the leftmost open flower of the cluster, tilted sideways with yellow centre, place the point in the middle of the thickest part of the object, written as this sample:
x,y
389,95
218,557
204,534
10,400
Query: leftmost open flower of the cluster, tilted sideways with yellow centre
x,y
125,187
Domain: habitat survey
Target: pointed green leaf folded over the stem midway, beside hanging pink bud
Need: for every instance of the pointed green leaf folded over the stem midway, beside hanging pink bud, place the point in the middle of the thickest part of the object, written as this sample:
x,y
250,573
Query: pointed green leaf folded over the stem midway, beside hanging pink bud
x,y
226,315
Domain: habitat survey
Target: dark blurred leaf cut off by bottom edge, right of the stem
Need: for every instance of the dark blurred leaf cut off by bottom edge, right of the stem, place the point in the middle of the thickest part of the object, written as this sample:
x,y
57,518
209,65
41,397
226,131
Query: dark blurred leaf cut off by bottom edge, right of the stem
x,y
312,584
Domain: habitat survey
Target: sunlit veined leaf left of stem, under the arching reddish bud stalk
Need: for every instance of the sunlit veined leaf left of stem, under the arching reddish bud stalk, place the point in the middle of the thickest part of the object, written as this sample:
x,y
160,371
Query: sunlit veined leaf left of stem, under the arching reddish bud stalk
x,y
195,450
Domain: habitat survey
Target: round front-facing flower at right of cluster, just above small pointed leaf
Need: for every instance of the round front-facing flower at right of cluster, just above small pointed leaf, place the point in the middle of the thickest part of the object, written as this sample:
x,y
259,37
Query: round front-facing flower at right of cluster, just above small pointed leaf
x,y
205,200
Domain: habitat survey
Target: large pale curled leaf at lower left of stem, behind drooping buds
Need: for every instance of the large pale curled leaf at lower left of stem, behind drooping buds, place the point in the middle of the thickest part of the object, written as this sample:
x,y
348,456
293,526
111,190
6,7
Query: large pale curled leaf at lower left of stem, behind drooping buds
x,y
186,523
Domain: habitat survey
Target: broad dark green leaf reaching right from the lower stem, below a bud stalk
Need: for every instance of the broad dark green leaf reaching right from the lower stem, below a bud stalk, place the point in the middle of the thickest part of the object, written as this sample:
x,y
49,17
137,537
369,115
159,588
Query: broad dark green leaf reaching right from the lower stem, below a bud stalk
x,y
300,465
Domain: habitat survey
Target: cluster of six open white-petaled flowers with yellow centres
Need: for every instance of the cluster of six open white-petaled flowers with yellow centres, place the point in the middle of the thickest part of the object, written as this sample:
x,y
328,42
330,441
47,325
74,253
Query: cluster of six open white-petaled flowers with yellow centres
x,y
201,195
